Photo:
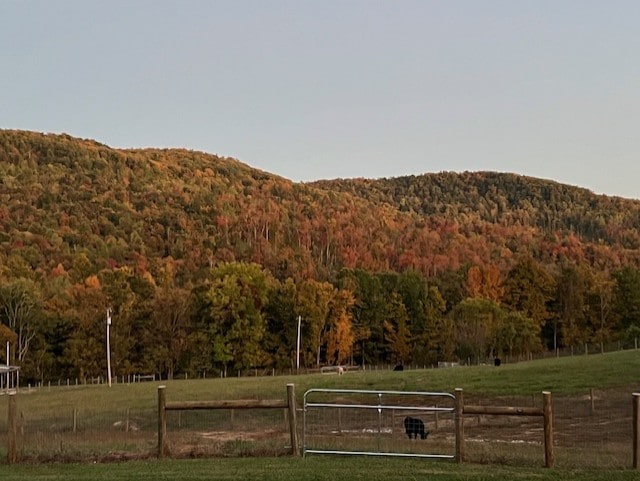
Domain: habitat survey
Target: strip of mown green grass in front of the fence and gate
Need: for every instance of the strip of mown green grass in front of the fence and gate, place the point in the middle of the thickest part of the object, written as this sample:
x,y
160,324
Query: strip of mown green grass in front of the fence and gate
x,y
319,468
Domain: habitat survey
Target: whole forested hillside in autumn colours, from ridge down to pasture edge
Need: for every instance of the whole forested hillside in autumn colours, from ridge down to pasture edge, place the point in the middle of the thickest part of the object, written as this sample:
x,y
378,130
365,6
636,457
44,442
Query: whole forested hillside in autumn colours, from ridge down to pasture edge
x,y
206,263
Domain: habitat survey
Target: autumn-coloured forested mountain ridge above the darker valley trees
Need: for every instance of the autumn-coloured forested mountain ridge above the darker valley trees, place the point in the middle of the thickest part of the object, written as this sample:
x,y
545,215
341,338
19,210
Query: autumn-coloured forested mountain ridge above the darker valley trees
x,y
189,205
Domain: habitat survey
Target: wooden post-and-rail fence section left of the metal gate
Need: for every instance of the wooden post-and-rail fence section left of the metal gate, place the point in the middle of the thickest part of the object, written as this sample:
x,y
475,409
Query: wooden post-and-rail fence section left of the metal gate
x,y
163,406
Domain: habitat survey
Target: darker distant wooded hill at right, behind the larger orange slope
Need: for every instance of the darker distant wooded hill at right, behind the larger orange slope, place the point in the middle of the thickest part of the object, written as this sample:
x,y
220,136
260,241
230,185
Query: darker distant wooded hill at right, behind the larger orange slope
x,y
505,199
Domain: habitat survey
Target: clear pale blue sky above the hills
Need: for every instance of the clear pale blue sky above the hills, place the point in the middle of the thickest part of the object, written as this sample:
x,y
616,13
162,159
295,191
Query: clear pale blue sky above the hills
x,y
326,88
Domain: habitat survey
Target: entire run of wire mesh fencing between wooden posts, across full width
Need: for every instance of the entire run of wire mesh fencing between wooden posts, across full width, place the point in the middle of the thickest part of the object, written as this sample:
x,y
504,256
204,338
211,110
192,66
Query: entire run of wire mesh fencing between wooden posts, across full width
x,y
591,430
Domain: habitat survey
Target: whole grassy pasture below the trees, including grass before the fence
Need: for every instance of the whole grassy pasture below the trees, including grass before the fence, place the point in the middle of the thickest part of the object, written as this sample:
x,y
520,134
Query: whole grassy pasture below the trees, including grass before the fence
x,y
96,424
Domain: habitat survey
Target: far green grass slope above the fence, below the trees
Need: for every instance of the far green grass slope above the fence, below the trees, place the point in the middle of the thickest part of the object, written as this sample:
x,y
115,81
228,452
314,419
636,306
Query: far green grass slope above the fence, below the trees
x,y
561,376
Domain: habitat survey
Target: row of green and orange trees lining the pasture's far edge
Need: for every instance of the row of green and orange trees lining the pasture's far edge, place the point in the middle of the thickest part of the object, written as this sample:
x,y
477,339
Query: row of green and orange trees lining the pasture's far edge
x,y
241,317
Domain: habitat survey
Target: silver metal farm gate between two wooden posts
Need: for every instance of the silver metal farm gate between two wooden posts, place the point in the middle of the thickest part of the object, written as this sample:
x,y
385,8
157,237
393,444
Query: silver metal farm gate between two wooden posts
x,y
362,422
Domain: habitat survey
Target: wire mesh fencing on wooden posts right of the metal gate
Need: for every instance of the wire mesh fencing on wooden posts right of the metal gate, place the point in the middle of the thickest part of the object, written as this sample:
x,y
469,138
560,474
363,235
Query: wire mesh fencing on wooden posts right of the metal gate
x,y
593,430
